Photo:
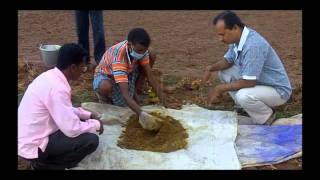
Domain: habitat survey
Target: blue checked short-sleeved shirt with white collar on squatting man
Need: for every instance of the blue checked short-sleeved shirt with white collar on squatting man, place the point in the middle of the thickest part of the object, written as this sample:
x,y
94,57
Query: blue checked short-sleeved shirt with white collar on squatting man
x,y
257,60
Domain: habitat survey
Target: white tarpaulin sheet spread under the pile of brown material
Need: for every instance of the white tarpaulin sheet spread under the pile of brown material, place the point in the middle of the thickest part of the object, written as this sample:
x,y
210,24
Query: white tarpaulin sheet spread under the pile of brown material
x,y
211,141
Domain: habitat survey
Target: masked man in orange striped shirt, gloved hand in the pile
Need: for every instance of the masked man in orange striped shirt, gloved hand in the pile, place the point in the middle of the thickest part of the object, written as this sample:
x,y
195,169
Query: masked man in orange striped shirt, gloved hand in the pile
x,y
117,73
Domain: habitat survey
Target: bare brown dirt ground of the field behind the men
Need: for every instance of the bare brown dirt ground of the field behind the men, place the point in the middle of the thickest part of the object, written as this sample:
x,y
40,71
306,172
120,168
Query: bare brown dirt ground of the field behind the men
x,y
184,42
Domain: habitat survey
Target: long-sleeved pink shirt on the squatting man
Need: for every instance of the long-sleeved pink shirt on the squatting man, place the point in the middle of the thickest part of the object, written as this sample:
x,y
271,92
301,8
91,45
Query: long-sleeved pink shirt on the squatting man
x,y
45,108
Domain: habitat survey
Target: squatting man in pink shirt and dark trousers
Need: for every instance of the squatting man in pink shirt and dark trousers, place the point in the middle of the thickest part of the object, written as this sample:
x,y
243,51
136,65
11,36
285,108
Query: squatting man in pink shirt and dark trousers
x,y
52,134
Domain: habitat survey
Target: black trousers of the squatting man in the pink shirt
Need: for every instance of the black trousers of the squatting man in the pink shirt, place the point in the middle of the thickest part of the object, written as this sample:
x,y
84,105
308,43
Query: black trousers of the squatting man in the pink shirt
x,y
64,152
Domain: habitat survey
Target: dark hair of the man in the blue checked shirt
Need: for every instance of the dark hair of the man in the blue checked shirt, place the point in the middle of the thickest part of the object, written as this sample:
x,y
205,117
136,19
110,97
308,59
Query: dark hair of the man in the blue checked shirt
x,y
230,19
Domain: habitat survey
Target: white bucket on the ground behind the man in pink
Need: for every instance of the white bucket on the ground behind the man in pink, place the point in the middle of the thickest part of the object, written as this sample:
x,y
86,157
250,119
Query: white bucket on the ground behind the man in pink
x,y
49,54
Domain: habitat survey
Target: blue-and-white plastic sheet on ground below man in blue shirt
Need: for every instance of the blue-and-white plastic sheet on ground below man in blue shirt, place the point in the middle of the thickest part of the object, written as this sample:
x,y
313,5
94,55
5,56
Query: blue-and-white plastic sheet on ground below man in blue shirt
x,y
259,145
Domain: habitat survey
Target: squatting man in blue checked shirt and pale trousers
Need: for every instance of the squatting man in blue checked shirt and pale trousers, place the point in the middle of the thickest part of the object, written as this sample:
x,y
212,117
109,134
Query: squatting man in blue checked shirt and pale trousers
x,y
251,70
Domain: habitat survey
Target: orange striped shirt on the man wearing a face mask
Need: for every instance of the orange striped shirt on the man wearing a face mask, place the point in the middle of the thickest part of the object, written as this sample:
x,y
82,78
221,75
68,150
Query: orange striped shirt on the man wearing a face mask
x,y
117,62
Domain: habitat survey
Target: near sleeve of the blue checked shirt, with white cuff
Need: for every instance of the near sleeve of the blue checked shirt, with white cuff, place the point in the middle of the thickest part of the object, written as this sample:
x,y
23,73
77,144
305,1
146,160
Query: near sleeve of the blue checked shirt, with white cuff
x,y
252,64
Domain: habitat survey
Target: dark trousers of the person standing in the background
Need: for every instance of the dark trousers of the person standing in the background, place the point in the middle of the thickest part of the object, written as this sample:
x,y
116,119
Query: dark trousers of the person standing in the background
x,y
82,26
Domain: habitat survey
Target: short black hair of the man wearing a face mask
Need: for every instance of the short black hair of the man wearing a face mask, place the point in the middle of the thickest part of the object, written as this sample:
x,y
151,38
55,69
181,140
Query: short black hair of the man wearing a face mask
x,y
139,35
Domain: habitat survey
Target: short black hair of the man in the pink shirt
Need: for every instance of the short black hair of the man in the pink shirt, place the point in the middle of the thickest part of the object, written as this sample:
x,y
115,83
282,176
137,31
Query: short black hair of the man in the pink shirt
x,y
69,54
